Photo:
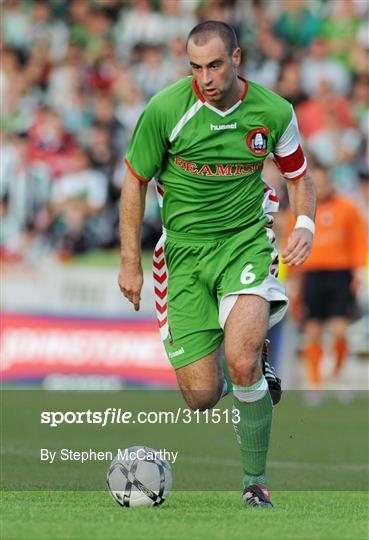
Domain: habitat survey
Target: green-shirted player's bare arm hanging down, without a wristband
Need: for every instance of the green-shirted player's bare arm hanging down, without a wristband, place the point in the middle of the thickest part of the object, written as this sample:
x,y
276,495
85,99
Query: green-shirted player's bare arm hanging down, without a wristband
x,y
132,208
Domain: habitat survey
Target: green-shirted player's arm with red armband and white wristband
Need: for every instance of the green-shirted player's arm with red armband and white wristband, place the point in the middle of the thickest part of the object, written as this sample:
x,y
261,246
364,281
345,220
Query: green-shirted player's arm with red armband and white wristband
x,y
290,159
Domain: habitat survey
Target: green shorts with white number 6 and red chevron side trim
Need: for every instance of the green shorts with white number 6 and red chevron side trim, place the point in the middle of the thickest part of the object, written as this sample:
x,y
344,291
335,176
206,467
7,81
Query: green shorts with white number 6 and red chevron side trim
x,y
197,282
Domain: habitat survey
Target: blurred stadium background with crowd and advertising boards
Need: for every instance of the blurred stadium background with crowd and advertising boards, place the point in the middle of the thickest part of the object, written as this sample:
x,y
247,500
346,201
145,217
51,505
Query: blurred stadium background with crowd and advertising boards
x,y
75,76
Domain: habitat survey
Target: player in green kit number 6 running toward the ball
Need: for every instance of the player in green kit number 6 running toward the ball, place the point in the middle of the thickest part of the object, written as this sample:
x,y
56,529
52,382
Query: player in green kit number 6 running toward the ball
x,y
204,140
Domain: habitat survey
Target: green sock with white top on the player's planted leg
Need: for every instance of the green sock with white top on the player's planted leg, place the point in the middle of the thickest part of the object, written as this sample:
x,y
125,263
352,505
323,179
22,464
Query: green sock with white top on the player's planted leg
x,y
253,432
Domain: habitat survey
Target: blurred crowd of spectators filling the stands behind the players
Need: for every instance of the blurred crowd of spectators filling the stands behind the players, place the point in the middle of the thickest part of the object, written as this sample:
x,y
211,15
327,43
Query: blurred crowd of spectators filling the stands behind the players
x,y
76,74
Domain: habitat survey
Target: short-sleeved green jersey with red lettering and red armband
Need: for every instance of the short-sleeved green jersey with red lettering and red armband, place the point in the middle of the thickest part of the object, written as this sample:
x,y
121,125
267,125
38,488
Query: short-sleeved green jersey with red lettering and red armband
x,y
208,162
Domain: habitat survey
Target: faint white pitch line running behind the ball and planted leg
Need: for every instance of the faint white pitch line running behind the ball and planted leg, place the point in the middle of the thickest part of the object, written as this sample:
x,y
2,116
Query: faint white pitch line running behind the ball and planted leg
x,y
352,467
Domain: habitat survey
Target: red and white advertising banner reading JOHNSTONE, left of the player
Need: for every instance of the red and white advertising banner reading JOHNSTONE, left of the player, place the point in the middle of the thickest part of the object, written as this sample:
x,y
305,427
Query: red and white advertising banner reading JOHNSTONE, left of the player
x,y
33,347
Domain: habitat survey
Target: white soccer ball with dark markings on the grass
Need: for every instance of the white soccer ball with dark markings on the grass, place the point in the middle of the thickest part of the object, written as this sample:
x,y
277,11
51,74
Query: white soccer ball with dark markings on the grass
x,y
138,476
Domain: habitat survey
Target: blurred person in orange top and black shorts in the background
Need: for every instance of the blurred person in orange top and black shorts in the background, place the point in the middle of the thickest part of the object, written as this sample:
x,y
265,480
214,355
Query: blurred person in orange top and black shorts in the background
x,y
329,279
